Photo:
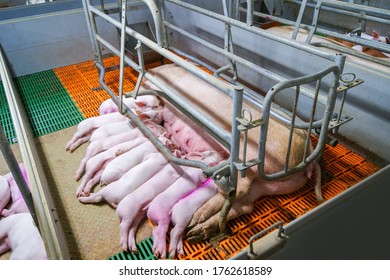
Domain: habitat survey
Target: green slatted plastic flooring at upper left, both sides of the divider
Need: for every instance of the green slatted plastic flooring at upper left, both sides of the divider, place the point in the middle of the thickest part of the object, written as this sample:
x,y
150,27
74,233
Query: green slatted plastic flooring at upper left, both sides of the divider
x,y
48,105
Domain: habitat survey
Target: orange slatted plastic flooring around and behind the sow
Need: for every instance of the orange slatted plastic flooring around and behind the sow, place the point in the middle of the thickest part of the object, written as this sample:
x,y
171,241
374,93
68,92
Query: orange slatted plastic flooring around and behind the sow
x,y
345,168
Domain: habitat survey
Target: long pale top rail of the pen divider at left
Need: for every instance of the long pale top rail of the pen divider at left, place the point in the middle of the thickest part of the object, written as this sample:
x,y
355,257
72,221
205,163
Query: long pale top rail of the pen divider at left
x,y
48,220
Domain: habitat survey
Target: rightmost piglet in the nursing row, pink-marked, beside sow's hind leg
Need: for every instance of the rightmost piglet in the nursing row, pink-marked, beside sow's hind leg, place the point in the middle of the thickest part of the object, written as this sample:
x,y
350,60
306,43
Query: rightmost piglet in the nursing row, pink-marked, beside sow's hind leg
x,y
183,210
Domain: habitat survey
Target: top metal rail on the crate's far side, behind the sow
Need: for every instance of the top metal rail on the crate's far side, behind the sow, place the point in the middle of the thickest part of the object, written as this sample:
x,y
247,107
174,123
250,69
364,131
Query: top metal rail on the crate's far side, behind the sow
x,y
255,30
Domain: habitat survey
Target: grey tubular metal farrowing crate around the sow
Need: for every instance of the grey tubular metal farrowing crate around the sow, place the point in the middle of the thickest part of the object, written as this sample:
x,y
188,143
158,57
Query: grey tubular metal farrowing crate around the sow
x,y
225,174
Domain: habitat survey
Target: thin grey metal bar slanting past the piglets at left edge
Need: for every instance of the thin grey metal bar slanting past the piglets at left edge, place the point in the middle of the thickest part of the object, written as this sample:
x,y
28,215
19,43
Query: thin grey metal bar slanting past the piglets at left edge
x,y
17,174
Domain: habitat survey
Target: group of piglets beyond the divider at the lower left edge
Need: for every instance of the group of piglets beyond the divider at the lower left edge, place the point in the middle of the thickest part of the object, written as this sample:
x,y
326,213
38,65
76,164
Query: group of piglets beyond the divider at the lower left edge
x,y
17,230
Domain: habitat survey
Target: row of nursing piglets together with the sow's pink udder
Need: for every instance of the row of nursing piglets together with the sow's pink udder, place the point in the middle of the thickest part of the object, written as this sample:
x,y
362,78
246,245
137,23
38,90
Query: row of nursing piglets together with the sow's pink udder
x,y
138,179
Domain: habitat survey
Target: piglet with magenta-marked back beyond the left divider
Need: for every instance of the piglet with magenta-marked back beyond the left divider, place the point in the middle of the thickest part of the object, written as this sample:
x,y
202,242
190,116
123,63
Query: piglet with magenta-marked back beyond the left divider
x,y
18,204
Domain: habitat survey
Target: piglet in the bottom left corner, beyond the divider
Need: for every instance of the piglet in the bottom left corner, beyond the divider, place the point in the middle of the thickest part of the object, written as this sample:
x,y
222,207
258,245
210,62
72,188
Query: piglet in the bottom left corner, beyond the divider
x,y
19,234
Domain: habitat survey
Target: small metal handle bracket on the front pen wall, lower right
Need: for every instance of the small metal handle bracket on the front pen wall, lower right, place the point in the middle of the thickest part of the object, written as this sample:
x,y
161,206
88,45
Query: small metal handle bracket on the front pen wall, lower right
x,y
268,244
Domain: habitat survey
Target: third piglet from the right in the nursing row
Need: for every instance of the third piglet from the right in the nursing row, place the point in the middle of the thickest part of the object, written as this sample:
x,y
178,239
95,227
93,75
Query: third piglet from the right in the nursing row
x,y
132,209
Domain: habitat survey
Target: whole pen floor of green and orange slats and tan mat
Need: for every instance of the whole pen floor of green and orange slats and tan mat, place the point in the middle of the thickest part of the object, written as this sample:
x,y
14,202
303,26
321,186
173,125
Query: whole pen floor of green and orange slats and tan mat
x,y
57,100
